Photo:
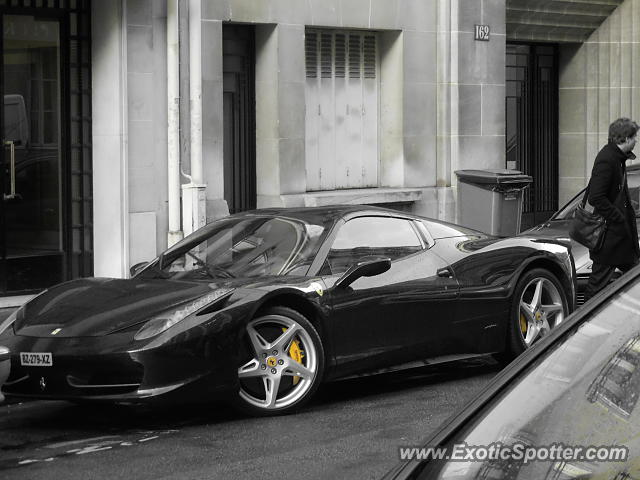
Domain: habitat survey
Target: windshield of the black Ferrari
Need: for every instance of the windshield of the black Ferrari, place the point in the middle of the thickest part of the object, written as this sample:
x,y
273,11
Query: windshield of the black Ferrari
x,y
242,247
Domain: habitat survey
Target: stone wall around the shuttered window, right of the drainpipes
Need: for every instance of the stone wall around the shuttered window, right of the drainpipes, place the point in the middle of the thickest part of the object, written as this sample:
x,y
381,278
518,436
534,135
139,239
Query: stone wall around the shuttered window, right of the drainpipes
x,y
441,95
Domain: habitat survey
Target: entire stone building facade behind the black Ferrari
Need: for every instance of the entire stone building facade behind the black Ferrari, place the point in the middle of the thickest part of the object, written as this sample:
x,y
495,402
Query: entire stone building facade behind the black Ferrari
x,y
128,123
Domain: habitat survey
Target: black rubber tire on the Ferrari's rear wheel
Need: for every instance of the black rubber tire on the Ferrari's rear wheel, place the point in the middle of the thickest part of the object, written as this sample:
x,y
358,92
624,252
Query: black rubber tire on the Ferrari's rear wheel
x,y
516,333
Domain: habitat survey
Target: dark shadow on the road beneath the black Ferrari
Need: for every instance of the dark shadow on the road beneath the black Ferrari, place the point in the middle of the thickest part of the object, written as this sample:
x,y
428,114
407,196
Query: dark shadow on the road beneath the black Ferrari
x,y
105,418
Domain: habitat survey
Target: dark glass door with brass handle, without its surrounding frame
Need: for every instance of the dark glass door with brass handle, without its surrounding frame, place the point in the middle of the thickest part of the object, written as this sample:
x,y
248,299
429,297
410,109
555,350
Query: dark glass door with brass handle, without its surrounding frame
x,y
31,208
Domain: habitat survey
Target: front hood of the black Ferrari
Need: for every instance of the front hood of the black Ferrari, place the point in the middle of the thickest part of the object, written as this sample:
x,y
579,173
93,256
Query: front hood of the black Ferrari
x,y
99,306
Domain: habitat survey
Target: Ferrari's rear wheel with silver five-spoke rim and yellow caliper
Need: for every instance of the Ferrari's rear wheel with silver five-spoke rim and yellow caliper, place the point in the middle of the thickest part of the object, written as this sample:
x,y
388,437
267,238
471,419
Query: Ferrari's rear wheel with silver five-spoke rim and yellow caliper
x,y
539,305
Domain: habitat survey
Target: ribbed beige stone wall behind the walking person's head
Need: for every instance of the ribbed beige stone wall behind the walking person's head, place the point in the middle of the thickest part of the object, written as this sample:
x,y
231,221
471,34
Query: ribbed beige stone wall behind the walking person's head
x,y
599,82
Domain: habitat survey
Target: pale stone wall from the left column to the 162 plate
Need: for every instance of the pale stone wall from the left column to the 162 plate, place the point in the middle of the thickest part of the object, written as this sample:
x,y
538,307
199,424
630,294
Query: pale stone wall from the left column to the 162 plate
x,y
441,107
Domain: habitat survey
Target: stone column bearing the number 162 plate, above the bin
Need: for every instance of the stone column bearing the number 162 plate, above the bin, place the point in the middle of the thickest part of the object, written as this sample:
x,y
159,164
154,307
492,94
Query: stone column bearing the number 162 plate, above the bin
x,y
471,92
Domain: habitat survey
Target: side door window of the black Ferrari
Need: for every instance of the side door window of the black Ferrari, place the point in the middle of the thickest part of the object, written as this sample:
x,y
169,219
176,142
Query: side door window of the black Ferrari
x,y
371,236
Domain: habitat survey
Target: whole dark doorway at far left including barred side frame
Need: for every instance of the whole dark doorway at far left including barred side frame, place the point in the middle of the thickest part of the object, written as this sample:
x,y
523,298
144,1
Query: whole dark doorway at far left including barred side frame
x,y
46,174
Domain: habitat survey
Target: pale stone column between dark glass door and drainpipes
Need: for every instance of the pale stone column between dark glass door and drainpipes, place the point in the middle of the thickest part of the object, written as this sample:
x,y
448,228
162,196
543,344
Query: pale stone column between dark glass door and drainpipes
x,y
109,130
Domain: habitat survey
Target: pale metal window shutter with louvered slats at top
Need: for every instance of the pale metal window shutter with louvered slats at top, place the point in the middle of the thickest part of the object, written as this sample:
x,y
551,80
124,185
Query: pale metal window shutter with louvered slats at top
x,y
342,109
